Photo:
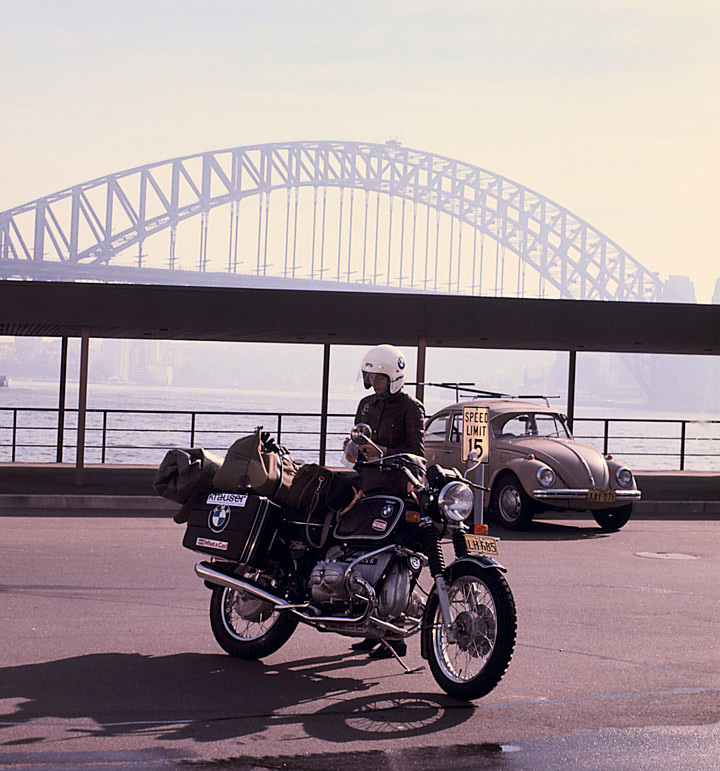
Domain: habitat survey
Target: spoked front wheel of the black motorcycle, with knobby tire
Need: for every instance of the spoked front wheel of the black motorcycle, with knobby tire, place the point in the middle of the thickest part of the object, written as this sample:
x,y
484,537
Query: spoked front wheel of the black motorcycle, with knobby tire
x,y
484,622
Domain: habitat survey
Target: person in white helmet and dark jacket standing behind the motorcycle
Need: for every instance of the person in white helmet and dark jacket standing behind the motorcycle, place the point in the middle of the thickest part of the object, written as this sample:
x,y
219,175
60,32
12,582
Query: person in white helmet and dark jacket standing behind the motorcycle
x,y
397,421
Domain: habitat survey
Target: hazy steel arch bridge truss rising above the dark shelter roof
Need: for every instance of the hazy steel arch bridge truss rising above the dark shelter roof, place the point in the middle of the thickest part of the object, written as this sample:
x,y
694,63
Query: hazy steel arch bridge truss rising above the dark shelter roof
x,y
421,245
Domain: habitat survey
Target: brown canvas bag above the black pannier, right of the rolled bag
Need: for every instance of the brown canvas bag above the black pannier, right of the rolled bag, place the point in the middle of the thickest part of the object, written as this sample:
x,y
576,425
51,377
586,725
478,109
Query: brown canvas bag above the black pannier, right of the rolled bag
x,y
255,463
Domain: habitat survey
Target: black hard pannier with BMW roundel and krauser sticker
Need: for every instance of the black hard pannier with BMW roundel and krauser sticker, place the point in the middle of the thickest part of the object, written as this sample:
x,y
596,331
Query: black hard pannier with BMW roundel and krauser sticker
x,y
236,526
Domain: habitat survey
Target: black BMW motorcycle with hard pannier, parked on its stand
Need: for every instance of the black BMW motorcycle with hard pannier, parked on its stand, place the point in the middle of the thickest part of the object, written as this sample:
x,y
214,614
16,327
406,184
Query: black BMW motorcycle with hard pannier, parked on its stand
x,y
268,574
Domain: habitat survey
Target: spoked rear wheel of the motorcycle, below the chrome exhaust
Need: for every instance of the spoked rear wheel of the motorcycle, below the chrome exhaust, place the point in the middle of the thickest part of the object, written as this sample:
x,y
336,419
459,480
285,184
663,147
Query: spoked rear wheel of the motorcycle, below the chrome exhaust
x,y
247,628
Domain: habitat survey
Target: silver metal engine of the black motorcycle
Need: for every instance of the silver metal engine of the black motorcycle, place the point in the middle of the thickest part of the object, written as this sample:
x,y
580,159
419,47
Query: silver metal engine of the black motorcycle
x,y
328,584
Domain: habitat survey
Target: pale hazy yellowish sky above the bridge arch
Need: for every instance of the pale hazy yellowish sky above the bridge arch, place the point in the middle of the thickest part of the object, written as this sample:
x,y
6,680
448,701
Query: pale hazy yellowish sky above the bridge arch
x,y
609,107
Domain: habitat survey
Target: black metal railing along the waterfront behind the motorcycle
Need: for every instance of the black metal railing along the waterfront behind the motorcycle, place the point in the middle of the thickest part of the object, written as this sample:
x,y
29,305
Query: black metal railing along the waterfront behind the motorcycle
x,y
36,434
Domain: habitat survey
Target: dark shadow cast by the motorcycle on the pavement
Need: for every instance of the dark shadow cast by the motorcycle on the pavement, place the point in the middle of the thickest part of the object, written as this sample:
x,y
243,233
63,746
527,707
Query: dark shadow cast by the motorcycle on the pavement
x,y
208,698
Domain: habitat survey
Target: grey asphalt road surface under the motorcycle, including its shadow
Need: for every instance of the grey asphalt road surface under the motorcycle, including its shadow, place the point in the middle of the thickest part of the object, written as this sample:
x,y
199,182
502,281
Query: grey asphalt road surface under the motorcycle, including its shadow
x,y
107,661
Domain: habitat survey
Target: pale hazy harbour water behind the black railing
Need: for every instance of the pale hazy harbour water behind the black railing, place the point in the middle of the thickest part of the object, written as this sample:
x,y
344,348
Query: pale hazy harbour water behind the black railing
x,y
136,424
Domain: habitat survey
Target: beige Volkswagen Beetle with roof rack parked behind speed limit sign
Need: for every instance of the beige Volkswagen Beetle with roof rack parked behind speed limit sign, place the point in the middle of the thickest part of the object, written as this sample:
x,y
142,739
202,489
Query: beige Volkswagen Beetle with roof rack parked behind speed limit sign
x,y
535,465
